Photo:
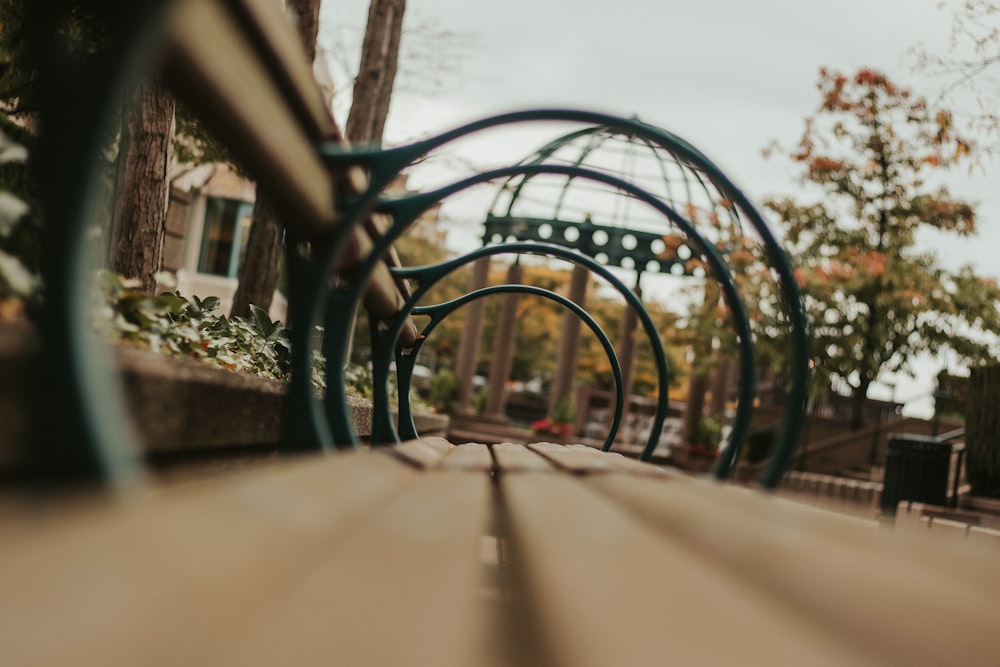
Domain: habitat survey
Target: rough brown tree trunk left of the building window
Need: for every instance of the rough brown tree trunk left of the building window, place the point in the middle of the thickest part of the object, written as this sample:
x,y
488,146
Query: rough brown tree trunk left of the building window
x,y
139,216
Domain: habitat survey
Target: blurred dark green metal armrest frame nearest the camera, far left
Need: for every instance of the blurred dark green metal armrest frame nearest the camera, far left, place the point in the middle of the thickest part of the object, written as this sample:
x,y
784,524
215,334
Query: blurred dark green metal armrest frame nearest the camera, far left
x,y
82,431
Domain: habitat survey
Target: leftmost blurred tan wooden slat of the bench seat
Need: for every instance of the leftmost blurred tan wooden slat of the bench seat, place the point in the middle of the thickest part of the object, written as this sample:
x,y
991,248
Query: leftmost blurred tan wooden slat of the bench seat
x,y
179,579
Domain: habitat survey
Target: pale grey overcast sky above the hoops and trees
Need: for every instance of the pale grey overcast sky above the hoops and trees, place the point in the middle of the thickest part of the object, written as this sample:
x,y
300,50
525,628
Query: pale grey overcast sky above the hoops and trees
x,y
730,76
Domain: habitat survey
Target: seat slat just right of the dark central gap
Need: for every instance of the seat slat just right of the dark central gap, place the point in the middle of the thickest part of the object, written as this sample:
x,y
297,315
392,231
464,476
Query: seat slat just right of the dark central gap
x,y
608,591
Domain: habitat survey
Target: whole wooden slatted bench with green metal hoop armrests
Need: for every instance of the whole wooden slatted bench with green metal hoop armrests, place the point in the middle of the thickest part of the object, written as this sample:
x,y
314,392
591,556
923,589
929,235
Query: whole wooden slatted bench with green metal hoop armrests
x,y
417,552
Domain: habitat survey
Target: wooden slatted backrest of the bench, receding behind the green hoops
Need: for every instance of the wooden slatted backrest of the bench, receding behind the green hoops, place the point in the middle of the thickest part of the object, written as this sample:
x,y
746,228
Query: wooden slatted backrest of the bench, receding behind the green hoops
x,y
259,104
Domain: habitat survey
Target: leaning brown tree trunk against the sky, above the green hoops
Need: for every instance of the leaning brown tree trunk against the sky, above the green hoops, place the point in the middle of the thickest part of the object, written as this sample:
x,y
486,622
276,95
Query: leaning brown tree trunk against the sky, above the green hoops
x,y
377,71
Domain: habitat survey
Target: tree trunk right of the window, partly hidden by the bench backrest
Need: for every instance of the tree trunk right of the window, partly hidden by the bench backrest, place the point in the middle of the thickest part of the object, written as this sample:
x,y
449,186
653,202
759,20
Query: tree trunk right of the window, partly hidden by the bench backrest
x,y
259,271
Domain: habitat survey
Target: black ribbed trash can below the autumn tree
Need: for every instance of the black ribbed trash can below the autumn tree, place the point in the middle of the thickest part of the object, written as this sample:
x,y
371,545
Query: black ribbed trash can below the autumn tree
x,y
916,469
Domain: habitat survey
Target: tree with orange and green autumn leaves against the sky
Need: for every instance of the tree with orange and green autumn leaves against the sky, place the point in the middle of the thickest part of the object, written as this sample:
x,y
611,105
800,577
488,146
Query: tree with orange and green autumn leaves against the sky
x,y
874,298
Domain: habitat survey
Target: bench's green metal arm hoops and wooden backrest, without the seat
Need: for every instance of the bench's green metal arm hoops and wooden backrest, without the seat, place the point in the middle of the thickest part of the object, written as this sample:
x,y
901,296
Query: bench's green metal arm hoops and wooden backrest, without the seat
x,y
248,85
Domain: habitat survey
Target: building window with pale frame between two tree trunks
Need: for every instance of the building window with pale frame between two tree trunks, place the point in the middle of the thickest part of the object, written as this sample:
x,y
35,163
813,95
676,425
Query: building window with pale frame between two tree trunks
x,y
224,236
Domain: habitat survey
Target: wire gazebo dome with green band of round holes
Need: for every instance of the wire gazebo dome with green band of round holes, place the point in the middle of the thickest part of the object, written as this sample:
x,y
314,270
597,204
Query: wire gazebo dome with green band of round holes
x,y
601,221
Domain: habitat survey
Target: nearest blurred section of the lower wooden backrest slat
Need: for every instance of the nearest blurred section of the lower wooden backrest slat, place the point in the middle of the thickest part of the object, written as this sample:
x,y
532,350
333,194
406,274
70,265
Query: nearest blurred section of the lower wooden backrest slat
x,y
225,82
